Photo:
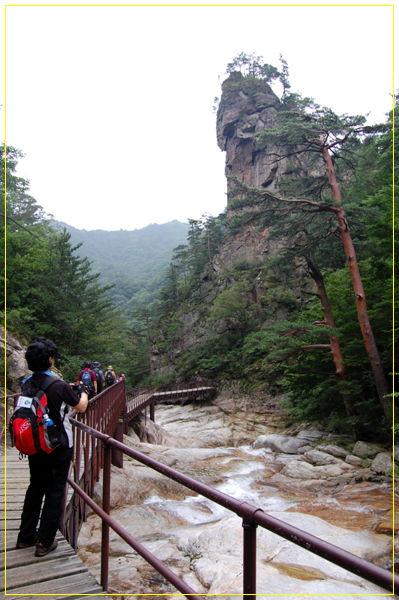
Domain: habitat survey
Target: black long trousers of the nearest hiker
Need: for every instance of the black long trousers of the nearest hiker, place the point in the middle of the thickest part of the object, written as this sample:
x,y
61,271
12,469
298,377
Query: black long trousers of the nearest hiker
x,y
48,474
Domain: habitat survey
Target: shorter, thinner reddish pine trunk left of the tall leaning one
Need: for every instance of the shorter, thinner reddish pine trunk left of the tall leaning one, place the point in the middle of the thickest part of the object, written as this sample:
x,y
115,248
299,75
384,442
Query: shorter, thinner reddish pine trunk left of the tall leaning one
x,y
335,347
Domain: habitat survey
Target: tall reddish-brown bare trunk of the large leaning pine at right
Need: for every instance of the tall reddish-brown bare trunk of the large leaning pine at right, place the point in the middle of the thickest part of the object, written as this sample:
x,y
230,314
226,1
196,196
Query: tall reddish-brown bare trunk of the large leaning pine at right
x,y
368,337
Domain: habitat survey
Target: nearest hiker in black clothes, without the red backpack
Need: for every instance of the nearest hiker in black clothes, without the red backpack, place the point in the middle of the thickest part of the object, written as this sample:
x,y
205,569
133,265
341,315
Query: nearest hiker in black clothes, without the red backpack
x,y
48,472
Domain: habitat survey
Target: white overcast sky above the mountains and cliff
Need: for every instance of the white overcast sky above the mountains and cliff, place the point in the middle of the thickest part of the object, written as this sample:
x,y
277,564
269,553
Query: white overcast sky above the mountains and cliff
x,y
112,106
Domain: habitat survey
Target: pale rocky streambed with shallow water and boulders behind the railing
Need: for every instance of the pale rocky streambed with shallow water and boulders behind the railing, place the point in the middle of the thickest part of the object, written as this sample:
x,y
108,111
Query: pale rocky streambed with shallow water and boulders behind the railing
x,y
309,479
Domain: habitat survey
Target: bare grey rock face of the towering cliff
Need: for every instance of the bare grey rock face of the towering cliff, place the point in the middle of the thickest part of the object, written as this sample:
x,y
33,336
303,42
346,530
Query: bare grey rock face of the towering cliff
x,y
247,107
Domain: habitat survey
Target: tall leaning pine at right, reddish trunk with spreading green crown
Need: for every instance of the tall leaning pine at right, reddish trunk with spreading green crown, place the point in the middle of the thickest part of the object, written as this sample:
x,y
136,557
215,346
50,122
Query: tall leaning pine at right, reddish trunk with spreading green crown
x,y
317,148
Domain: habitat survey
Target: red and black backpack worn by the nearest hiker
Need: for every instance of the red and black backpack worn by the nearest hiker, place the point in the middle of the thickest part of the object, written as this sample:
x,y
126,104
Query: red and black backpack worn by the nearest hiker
x,y
31,428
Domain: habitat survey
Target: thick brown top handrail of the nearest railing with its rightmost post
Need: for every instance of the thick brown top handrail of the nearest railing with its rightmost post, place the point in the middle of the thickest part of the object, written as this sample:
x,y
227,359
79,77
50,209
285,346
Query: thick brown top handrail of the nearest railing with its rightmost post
x,y
252,516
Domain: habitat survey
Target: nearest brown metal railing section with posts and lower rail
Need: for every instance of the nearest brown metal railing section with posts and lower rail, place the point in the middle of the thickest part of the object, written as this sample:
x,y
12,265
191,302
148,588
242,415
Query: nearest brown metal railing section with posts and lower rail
x,y
251,516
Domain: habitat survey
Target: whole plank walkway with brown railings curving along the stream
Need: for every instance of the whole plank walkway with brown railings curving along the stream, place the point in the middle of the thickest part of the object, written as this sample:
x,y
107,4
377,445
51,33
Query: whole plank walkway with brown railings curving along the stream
x,y
98,442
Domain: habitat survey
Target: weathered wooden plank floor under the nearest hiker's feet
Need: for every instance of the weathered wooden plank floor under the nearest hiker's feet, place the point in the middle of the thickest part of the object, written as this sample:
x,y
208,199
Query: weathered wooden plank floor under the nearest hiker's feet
x,y
60,574
